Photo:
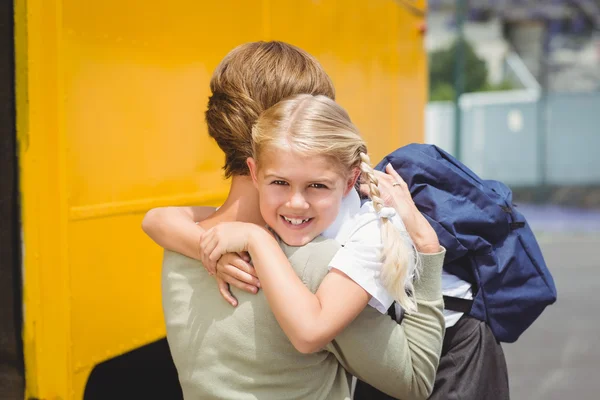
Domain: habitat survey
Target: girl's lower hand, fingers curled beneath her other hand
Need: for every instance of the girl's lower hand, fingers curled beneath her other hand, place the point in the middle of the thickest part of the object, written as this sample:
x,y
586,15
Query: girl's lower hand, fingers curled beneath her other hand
x,y
232,269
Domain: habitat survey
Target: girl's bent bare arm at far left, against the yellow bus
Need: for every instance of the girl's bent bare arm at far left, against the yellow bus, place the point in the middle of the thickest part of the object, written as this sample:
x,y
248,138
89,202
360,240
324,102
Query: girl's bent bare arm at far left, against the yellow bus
x,y
175,229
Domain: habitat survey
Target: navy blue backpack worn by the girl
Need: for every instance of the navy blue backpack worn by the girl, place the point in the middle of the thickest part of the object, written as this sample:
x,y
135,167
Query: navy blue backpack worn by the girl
x,y
488,242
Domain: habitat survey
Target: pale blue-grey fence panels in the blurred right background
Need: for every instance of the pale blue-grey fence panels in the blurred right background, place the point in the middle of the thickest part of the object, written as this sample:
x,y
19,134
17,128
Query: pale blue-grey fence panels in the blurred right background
x,y
522,138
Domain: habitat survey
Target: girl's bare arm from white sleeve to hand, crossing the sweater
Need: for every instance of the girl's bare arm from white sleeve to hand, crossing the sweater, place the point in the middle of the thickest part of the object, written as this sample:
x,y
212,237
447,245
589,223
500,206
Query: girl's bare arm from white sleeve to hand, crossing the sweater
x,y
309,320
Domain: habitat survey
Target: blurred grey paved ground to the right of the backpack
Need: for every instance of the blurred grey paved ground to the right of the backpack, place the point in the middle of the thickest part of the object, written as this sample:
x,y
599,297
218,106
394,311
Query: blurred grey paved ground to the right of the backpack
x,y
559,356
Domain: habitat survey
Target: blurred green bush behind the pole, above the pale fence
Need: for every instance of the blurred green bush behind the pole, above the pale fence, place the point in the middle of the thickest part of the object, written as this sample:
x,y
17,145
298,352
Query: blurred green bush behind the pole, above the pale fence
x,y
441,73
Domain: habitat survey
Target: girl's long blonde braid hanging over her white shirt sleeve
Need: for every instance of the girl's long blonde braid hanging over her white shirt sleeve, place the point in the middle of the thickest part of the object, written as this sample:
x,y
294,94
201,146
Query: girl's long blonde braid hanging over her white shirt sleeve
x,y
398,262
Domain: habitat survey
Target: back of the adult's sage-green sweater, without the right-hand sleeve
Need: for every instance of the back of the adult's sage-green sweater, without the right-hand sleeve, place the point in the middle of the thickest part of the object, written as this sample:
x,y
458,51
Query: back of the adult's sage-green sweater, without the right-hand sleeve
x,y
242,353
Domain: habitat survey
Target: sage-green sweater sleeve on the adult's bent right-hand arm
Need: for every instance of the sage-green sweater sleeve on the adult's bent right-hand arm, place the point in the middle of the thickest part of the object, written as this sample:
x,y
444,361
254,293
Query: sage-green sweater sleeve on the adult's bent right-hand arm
x,y
398,359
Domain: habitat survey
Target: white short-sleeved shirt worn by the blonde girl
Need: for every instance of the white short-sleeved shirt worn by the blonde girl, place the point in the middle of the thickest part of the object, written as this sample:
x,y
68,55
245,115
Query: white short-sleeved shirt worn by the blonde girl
x,y
358,230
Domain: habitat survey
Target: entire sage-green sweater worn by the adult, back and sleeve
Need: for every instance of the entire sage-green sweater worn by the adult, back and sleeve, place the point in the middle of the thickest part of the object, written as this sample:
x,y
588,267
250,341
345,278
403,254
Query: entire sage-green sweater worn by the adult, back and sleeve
x,y
222,352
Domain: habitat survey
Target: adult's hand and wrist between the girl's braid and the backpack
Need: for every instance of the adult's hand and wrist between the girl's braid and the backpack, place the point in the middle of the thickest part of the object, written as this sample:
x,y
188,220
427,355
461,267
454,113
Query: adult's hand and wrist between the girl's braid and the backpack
x,y
395,193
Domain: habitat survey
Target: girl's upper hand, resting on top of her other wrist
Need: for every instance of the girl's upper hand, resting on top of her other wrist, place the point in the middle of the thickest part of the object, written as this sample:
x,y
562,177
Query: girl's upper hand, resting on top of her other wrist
x,y
226,237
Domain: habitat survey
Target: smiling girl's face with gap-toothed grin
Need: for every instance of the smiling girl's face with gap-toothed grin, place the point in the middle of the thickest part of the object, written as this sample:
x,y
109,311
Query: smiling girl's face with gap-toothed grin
x,y
299,196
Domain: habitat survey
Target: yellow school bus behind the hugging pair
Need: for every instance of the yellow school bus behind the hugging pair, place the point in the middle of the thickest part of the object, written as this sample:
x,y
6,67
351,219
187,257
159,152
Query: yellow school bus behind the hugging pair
x,y
104,119
